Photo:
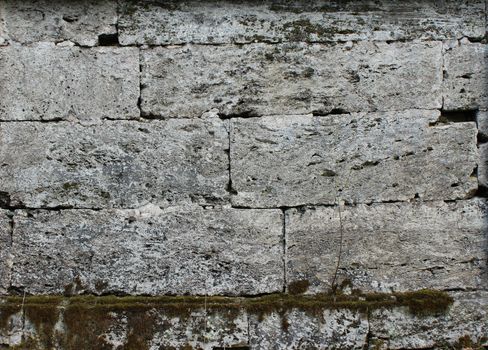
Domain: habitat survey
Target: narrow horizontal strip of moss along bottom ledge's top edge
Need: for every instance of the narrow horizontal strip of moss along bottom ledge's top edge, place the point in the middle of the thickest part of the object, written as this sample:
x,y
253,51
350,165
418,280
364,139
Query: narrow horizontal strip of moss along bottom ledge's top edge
x,y
421,302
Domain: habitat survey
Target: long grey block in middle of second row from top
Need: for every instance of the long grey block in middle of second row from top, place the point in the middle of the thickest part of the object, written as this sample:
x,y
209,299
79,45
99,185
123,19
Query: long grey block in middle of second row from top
x,y
263,79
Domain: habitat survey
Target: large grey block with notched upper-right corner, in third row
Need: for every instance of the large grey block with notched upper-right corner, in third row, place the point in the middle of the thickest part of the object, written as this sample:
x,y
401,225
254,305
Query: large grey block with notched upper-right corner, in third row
x,y
363,158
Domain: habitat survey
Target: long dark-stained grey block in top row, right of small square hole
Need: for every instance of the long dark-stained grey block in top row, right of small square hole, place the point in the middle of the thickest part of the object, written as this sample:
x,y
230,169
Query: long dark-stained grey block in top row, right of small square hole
x,y
217,22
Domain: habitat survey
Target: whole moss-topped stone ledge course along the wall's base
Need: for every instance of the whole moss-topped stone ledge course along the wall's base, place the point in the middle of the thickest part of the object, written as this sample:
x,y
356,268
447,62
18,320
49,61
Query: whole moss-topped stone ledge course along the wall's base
x,y
267,322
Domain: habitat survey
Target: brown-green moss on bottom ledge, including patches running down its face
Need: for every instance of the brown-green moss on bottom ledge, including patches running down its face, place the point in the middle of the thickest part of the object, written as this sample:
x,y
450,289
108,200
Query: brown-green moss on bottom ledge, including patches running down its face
x,y
86,318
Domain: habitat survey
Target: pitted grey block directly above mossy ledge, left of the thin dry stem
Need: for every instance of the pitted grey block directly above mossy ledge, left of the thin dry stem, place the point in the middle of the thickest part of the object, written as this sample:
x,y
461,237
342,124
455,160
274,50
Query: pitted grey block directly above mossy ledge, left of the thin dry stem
x,y
179,250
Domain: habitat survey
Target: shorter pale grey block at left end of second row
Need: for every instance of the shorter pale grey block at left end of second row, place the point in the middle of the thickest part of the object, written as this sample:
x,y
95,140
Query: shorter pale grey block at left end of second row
x,y
44,82
